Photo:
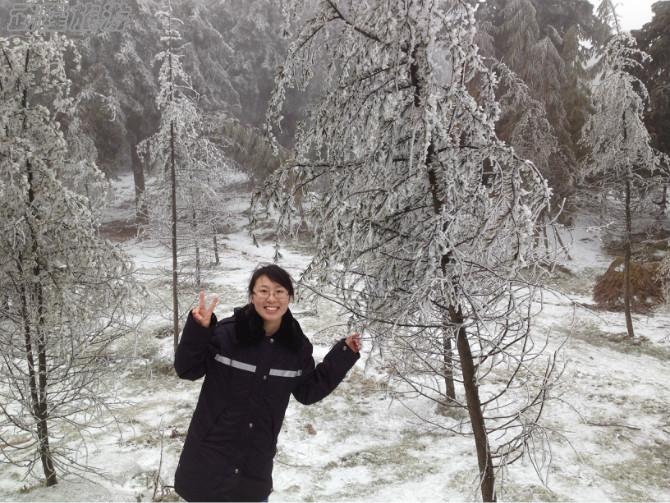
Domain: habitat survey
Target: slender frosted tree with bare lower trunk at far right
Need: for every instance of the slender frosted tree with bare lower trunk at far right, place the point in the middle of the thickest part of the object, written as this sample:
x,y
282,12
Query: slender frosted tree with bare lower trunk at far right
x,y
621,158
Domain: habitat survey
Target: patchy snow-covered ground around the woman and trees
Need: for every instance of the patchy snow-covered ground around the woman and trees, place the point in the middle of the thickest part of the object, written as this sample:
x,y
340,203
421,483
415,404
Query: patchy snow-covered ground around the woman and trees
x,y
609,429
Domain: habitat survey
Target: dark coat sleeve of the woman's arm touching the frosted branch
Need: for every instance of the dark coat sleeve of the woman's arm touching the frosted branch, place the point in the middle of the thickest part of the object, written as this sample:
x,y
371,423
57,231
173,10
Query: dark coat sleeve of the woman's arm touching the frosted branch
x,y
318,382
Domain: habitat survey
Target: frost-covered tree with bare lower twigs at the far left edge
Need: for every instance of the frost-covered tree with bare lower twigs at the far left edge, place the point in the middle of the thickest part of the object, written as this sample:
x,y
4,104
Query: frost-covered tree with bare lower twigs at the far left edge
x,y
65,288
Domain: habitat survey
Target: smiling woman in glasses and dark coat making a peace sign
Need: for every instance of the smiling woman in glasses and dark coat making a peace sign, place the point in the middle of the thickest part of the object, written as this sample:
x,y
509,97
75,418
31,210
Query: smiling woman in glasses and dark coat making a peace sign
x,y
252,363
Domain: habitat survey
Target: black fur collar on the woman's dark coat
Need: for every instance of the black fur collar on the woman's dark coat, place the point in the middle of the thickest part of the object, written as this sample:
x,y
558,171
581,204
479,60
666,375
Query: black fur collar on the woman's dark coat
x,y
249,328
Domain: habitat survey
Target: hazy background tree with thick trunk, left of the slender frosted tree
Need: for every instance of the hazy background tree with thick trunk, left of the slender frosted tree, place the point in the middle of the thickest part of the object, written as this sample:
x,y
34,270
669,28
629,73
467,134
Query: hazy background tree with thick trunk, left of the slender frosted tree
x,y
116,72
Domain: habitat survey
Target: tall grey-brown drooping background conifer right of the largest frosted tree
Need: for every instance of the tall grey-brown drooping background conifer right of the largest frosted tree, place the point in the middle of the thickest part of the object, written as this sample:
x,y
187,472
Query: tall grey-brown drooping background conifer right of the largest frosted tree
x,y
542,42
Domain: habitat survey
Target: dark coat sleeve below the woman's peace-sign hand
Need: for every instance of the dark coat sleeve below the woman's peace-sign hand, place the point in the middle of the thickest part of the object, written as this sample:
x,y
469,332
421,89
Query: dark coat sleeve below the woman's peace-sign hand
x,y
189,362
